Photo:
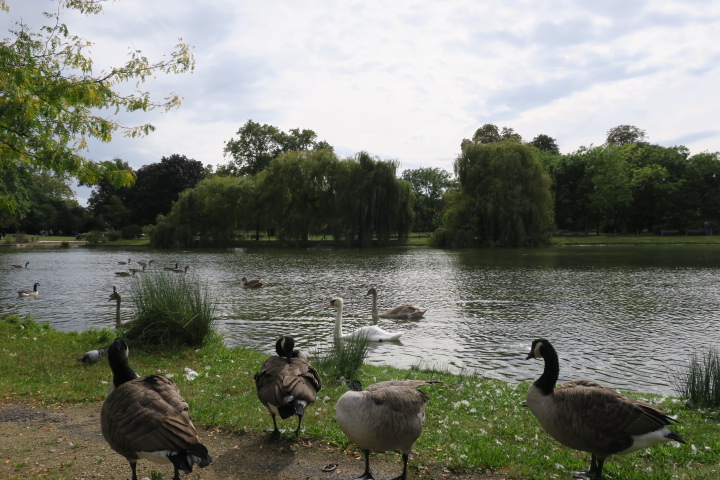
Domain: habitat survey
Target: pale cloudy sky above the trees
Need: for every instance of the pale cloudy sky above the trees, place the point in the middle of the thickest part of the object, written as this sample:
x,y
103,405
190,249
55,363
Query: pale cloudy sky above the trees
x,y
408,80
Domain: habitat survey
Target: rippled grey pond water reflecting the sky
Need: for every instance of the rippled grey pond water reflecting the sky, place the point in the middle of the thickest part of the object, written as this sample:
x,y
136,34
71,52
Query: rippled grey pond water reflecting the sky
x,y
626,317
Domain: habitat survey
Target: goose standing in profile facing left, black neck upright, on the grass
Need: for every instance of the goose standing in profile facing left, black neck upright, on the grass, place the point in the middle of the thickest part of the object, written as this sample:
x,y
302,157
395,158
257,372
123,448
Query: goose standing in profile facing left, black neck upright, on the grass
x,y
587,417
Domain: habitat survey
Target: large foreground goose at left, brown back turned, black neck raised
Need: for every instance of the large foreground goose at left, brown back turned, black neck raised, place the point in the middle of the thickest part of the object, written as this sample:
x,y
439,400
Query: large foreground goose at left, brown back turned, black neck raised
x,y
146,417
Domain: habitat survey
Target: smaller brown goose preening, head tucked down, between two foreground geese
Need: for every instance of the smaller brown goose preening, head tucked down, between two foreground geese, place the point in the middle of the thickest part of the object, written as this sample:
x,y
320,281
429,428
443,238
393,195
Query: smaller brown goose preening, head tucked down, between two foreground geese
x,y
287,383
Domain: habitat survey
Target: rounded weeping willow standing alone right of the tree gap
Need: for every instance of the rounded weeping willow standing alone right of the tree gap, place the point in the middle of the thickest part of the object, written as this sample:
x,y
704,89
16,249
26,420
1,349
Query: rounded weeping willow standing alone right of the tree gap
x,y
504,198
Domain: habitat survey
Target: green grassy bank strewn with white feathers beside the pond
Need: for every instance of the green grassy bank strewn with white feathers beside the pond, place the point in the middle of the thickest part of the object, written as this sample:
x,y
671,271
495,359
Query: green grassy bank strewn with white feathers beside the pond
x,y
472,423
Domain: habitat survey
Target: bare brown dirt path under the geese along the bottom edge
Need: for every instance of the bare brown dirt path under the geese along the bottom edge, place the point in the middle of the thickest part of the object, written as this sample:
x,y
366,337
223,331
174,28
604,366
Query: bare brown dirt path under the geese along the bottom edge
x,y
66,443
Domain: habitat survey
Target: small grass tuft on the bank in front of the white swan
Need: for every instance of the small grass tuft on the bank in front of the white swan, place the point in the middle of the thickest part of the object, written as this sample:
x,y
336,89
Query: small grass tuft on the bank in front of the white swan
x,y
341,359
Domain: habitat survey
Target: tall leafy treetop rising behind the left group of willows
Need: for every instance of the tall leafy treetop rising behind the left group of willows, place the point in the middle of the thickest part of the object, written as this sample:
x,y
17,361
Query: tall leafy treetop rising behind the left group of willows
x,y
256,145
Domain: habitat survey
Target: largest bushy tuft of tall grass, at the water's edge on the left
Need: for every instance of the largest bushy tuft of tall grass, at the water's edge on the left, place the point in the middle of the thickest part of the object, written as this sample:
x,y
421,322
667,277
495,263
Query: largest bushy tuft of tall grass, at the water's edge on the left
x,y
171,311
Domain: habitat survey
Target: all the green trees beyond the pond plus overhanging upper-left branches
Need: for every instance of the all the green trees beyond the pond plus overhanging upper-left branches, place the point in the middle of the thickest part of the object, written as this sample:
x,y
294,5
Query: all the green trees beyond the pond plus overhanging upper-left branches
x,y
502,191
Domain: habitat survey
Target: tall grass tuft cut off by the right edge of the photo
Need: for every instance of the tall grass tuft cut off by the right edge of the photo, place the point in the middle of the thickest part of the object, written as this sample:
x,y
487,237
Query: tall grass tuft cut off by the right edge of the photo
x,y
699,383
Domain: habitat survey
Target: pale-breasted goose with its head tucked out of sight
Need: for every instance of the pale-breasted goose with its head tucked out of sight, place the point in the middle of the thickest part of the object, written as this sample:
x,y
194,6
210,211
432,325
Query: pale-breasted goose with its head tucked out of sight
x,y
385,416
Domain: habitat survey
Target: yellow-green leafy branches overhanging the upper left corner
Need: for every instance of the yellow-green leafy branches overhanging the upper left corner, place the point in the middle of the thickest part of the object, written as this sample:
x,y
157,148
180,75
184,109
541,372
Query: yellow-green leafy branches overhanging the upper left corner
x,y
54,101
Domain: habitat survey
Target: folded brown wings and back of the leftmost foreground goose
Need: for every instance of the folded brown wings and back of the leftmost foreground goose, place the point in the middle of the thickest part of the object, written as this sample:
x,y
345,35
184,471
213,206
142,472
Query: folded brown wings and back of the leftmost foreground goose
x,y
147,414
